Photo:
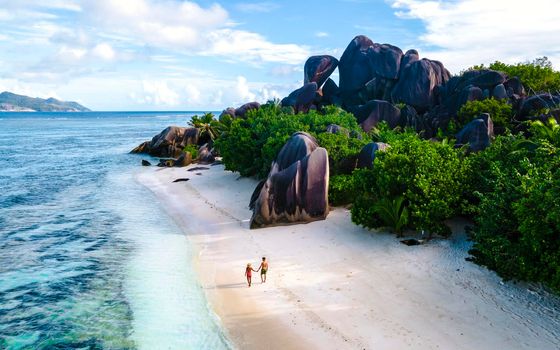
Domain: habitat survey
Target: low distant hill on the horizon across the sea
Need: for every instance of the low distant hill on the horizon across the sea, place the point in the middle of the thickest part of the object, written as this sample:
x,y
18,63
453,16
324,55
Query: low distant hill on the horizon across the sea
x,y
19,103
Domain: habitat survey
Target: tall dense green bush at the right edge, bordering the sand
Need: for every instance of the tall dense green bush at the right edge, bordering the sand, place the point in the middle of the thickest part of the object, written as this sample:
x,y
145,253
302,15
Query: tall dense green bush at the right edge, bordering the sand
x,y
517,224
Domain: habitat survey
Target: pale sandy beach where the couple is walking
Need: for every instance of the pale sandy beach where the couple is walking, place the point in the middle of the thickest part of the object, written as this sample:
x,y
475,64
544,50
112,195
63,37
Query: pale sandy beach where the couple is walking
x,y
334,285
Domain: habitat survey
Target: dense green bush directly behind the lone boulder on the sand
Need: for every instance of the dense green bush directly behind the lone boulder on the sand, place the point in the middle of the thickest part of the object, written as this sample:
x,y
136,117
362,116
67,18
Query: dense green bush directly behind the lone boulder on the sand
x,y
251,144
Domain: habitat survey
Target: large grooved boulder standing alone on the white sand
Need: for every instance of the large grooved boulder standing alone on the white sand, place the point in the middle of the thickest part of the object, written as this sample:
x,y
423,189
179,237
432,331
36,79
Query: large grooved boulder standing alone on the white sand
x,y
296,189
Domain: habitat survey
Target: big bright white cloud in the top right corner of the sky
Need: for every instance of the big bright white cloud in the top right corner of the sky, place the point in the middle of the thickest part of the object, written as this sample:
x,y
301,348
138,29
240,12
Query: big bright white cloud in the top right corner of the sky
x,y
467,32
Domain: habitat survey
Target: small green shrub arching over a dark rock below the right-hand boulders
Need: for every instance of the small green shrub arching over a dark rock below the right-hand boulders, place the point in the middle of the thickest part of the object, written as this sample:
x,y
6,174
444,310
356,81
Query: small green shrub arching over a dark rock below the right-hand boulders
x,y
500,112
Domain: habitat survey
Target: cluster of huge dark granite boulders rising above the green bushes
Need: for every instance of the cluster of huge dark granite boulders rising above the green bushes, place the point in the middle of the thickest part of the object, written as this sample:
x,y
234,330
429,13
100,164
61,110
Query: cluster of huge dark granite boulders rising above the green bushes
x,y
378,82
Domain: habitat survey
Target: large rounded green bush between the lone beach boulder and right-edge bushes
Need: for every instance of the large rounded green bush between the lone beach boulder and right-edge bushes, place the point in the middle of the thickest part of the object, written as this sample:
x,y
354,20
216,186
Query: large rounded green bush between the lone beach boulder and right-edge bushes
x,y
428,176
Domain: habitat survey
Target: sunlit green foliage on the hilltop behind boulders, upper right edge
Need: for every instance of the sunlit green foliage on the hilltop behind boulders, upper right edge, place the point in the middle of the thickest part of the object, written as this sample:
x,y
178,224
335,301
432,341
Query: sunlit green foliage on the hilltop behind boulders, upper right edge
x,y
536,76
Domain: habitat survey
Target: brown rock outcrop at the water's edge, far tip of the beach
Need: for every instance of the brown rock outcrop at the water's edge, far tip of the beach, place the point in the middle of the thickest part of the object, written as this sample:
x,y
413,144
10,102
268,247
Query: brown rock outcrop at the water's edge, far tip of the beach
x,y
169,143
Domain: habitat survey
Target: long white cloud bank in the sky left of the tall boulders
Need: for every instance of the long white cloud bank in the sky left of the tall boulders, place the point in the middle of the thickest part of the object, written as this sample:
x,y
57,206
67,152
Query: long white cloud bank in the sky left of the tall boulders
x,y
189,28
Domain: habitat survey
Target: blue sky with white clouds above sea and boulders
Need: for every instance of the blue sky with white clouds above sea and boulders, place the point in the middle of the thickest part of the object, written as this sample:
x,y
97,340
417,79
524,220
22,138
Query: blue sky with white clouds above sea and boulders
x,y
208,55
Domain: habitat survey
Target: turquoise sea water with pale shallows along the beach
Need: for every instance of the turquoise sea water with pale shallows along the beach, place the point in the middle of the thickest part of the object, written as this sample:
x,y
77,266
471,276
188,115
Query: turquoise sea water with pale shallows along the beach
x,y
88,259
